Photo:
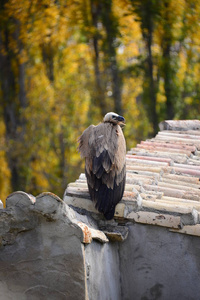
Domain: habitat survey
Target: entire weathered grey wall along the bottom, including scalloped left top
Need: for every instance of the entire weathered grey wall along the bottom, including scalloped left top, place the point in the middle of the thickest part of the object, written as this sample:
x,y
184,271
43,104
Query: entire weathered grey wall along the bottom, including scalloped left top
x,y
44,255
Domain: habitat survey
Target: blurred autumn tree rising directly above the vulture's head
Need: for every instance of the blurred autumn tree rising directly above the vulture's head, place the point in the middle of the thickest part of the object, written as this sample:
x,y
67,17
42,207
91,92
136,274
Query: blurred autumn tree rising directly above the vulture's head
x,y
100,27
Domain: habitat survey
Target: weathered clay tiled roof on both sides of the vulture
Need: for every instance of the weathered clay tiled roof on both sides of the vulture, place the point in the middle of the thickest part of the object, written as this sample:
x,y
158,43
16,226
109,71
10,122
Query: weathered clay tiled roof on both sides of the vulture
x,y
162,183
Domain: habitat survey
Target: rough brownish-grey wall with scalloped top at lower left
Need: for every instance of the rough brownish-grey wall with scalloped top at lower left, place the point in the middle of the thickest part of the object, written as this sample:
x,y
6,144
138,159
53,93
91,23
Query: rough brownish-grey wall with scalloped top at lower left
x,y
41,256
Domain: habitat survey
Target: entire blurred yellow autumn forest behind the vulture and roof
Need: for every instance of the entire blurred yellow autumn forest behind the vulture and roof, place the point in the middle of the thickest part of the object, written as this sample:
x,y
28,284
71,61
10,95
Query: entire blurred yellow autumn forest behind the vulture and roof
x,y
65,63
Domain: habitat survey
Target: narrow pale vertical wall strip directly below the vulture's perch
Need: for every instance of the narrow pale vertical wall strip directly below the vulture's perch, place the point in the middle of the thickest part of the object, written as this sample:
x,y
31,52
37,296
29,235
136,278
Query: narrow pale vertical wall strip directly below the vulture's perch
x,y
103,271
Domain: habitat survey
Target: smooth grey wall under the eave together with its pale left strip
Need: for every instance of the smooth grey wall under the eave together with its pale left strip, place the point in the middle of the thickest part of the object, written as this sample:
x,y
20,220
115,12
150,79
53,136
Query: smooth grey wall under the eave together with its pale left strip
x,y
151,264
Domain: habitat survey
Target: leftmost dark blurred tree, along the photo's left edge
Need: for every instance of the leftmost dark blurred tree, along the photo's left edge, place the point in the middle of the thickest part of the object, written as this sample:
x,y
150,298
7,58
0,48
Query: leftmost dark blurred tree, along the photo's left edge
x,y
13,99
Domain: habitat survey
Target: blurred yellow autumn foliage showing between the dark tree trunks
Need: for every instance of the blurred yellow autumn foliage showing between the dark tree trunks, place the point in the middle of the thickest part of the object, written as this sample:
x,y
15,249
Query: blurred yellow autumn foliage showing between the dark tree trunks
x,y
57,36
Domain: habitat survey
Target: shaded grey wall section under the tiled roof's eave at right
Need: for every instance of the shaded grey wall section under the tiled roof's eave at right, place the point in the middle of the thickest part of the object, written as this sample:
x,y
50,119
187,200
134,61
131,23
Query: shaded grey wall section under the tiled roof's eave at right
x,y
158,264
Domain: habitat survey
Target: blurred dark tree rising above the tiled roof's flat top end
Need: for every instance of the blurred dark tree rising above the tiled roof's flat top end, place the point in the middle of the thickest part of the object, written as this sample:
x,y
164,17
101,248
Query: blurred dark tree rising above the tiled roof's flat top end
x,y
169,34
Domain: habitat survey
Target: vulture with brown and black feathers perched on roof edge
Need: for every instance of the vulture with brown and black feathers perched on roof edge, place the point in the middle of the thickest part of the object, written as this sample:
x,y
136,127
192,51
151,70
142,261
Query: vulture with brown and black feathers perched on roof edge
x,y
104,149
